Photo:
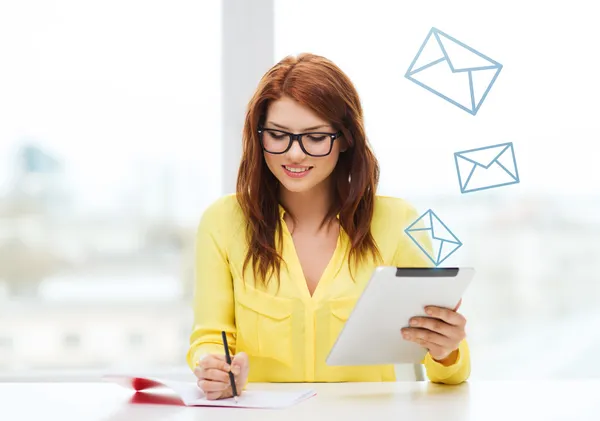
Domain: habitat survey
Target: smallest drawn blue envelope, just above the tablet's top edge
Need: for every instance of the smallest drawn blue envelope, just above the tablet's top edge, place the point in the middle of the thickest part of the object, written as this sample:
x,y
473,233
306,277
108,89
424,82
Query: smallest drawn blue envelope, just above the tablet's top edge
x,y
444,242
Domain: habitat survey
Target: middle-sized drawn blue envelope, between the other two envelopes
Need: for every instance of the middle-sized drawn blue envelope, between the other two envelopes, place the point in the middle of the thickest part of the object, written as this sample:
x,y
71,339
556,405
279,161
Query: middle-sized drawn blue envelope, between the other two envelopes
x,y
487,167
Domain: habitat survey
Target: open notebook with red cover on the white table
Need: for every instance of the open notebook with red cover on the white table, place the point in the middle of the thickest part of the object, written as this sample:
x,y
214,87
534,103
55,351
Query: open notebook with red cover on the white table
x,y
191,395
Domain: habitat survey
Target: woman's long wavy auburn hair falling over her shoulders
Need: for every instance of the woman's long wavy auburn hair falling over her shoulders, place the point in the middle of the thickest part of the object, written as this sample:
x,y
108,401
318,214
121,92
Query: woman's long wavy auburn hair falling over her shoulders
x,y
317,83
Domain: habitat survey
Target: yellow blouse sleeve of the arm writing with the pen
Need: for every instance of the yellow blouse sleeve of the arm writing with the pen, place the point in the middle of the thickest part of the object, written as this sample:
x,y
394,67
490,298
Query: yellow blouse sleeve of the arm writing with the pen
x,y
213,299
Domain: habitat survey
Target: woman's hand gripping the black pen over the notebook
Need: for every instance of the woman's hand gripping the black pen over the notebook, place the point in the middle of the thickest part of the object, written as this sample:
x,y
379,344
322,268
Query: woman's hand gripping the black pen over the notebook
x,y
212,372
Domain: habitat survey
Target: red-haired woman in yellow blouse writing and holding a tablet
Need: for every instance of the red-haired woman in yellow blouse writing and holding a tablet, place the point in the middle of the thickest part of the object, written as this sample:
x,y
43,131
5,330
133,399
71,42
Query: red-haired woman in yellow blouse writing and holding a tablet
x,y
281,263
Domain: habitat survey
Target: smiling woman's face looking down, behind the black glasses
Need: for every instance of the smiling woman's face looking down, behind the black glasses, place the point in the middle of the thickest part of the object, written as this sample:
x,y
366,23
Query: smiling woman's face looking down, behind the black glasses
x,y
287,115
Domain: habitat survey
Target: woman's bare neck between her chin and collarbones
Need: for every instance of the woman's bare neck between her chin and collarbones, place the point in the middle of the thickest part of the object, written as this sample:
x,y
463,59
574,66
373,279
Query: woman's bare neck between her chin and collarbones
x,y
308,208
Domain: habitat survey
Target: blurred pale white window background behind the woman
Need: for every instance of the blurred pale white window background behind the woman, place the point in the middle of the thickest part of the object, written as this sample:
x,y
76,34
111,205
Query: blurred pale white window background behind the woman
x,y
120,123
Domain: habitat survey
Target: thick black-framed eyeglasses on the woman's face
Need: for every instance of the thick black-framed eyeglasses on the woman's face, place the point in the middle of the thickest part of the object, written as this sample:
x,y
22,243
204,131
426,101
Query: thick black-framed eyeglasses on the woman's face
x,y
313,143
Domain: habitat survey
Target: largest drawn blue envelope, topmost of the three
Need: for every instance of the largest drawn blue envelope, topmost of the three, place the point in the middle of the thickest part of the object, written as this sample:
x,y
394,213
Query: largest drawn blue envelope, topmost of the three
x,y
453,71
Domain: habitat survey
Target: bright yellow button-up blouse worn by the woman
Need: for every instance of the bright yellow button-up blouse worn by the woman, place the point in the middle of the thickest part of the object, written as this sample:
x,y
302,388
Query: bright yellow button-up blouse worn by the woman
x,y
286,332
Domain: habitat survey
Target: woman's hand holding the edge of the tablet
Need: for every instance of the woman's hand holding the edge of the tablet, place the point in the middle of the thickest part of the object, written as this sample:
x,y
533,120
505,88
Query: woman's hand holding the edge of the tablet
x,y
441,332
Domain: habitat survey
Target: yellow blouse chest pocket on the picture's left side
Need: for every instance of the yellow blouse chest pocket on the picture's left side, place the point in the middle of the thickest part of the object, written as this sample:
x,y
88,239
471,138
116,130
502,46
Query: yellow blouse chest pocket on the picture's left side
x,y
264,325
